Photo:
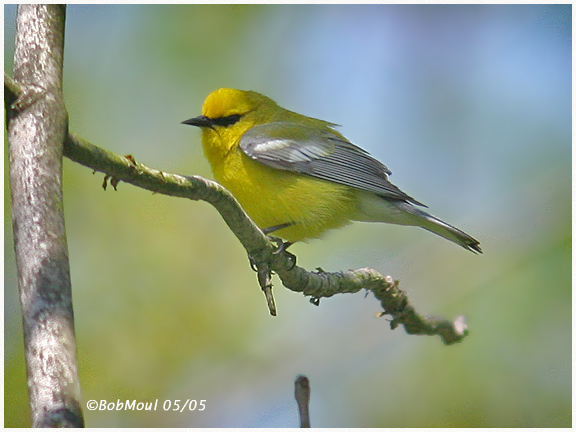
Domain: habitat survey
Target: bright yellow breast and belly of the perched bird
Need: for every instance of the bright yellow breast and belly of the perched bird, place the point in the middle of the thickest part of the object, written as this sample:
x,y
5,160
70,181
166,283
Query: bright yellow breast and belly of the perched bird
x,y
273,197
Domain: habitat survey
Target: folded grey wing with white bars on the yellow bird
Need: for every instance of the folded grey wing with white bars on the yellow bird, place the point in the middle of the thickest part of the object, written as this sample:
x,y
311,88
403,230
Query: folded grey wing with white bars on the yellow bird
x,y
319,153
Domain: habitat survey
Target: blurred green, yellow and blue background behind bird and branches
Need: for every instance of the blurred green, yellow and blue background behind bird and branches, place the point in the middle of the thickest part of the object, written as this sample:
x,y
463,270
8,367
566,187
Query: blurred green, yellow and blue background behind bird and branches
x,y
469,106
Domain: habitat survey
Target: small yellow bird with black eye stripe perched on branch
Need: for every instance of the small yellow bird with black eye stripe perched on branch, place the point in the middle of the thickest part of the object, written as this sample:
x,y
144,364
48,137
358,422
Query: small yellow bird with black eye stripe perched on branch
x,y
297,176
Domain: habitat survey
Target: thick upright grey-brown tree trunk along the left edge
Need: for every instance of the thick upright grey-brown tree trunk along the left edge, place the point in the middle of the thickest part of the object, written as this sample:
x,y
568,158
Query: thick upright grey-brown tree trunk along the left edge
x,y
37,127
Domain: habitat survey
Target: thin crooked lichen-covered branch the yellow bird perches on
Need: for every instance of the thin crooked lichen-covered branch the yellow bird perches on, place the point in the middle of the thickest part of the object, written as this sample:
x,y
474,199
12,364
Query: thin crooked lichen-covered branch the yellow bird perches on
x,y
261,249
